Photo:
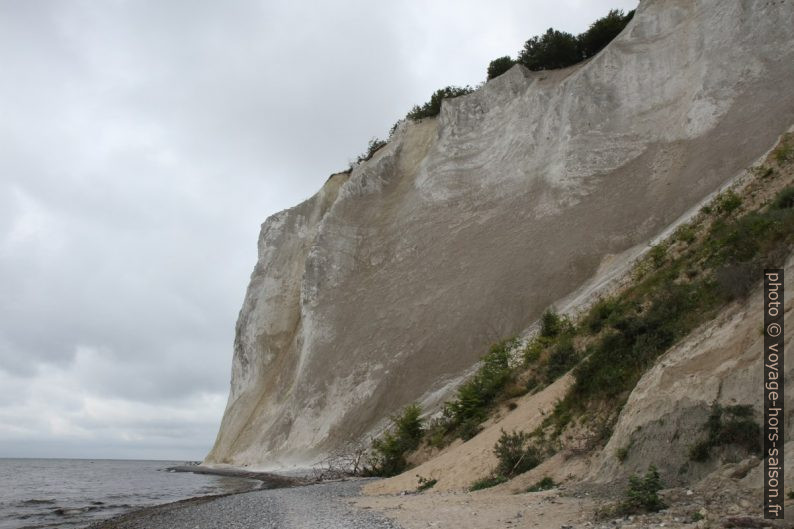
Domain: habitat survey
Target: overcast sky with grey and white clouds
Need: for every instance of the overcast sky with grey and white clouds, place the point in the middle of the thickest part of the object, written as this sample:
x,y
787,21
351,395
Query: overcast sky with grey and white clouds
x,y
143,142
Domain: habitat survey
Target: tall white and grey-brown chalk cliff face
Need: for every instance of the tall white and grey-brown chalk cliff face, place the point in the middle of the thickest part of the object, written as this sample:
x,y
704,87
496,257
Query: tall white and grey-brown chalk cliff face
x,y
391,282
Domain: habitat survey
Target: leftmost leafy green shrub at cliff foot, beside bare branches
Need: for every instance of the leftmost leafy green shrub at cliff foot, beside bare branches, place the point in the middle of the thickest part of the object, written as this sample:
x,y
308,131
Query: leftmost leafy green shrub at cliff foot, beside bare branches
x,y
403,436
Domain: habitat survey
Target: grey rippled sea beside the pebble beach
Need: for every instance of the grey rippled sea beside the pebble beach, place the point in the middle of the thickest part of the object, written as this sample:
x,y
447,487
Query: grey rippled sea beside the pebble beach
x,y
73,493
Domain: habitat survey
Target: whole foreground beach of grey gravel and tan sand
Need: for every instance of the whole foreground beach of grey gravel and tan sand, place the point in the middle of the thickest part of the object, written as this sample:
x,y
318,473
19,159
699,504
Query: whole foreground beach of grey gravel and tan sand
x,y
341,504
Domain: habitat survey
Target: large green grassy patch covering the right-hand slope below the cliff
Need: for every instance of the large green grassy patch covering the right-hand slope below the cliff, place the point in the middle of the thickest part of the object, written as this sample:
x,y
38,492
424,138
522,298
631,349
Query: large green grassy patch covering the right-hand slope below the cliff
x,y
683,282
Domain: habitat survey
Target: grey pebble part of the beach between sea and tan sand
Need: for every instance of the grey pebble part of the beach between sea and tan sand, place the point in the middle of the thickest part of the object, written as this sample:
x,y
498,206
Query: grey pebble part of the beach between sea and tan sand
x,y
321,506
